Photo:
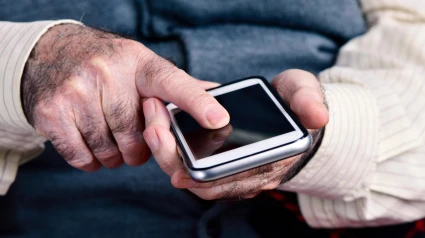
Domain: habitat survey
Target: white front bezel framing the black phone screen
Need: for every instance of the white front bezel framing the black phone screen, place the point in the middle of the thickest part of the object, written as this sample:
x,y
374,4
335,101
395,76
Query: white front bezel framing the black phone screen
x,y
242,151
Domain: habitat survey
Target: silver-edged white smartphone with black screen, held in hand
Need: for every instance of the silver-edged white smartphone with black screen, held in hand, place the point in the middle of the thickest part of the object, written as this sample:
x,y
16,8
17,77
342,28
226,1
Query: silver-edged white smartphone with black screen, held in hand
x,y
262,130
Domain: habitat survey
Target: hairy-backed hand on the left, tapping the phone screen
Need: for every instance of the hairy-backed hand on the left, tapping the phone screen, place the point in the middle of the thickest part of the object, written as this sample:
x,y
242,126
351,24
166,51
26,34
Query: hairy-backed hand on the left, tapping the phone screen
x,y
83,88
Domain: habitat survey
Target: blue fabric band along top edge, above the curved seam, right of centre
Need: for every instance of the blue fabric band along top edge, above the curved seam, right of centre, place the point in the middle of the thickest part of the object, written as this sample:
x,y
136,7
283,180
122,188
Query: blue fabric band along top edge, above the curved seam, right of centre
x,y
338,19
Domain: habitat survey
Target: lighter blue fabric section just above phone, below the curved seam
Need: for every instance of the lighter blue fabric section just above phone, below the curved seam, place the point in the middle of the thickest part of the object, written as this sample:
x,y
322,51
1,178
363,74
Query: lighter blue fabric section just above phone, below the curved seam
x,y
229,52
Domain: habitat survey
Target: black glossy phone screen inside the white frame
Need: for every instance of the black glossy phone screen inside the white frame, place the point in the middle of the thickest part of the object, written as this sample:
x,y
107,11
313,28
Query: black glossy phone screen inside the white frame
x,y
253,117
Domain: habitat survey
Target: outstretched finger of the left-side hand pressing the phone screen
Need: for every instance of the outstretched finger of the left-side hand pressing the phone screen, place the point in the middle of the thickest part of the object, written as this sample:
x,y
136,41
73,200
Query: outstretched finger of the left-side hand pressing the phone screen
x,y
157,77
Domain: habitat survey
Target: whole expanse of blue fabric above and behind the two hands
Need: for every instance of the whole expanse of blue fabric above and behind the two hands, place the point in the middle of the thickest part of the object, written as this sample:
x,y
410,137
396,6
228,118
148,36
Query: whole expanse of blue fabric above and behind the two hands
x,y
217,40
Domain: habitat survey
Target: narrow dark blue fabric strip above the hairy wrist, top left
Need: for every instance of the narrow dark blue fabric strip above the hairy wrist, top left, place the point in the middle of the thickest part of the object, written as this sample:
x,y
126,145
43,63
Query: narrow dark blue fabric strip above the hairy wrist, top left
x,y
116,15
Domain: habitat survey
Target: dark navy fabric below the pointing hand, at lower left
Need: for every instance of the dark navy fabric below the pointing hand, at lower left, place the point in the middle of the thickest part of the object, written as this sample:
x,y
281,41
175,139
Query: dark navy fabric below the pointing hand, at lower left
x,y
50,199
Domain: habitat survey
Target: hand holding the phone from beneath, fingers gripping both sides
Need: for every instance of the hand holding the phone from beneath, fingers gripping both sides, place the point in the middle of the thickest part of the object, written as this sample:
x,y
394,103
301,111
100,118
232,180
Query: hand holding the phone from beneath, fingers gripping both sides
x,y
299,89
